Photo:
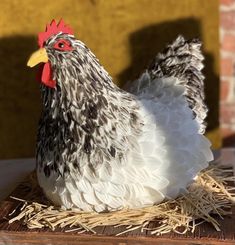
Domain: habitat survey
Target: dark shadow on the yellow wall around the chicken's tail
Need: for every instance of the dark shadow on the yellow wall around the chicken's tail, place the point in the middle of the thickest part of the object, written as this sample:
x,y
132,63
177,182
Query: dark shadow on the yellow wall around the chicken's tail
x,y
147,42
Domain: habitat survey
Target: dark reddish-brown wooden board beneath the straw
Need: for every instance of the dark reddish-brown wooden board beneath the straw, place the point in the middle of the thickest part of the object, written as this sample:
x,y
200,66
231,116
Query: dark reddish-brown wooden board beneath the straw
x,y
16,233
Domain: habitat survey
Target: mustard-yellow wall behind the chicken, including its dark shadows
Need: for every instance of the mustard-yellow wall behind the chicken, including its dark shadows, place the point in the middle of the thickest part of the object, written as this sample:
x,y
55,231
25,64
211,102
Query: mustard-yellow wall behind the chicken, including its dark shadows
x,y
124,35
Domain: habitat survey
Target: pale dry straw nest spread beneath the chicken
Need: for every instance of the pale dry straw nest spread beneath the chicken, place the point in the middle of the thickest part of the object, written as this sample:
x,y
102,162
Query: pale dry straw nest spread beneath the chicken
x,y
211,193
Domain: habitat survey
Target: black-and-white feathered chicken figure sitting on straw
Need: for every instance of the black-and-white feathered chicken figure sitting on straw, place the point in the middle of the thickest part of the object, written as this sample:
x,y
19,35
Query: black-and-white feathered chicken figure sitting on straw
x,y
100,148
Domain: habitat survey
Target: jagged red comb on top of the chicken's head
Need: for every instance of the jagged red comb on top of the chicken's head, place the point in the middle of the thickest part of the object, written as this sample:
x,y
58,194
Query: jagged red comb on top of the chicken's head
x,y
52,29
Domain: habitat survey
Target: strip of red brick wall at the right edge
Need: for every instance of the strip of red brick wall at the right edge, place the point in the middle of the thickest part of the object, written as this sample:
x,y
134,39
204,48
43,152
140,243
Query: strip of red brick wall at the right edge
x,y
227,75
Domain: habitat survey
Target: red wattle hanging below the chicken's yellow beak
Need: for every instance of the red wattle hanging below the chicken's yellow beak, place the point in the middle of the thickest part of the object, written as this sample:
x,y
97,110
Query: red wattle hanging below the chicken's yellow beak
x,y
45,75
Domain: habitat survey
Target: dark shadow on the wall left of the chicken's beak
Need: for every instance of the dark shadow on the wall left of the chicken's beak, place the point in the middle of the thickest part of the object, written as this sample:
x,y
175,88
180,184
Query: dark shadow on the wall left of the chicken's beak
x,y
19,98
